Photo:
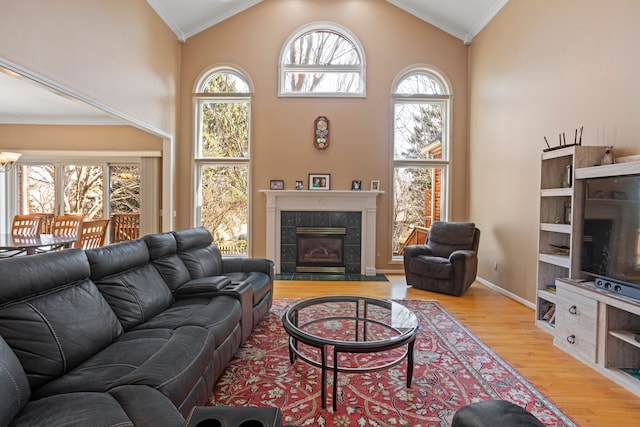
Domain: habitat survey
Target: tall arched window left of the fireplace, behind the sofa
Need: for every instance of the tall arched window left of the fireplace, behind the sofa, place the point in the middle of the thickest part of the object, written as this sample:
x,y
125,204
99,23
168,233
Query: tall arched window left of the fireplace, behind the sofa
x,y
223,101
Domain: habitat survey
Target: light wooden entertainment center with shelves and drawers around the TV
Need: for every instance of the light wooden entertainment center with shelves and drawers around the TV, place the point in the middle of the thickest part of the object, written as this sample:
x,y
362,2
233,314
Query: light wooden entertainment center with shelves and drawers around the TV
x,y
594,325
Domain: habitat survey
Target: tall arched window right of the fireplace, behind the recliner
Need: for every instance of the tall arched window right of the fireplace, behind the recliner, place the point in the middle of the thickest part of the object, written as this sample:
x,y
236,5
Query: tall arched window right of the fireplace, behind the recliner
x,y
420,154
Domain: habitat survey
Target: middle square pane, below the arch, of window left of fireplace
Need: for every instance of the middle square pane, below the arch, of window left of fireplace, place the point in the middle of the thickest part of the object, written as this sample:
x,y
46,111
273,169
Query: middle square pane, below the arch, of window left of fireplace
x,y
224,129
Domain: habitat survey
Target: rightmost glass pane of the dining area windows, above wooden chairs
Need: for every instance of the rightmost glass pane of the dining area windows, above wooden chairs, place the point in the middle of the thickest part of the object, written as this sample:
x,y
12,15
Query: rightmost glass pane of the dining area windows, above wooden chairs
x,y
124,189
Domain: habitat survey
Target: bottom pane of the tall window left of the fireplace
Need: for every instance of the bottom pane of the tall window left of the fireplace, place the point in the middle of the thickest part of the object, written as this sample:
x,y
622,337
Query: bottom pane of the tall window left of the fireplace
x,y
224,208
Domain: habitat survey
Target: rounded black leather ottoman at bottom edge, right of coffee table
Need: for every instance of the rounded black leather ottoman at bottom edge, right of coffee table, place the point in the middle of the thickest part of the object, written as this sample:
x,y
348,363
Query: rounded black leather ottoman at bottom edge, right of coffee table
x,y
494,413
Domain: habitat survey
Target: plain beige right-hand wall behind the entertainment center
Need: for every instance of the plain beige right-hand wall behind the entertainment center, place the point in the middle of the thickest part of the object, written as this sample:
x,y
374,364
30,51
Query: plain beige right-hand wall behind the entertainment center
x,y
540,68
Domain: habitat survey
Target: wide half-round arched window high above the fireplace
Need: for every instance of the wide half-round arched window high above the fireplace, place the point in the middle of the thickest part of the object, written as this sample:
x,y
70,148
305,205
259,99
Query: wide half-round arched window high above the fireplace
x,y
322,59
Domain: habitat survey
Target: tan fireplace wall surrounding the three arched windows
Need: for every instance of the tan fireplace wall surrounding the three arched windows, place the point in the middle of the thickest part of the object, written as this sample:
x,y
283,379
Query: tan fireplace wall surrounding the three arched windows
x,y
282,127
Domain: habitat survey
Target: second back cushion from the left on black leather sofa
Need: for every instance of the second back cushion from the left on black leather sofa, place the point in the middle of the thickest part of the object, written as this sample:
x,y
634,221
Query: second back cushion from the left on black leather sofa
x,y
132,286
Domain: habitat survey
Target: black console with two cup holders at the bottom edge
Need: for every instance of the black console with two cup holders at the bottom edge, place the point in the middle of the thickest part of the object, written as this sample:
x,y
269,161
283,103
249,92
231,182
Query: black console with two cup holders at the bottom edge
x,y
229,416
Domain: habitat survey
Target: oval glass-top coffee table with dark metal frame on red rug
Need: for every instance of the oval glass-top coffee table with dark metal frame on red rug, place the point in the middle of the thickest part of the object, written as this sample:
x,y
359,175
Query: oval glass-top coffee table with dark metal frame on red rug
x,y
360,326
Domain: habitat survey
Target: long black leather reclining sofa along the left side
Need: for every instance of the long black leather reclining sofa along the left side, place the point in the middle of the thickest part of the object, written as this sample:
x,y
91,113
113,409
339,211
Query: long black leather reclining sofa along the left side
x,y
134,333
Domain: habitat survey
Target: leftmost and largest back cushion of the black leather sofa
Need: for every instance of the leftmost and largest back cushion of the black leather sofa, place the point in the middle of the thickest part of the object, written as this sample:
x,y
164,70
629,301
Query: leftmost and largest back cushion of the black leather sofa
x,y
51,315
